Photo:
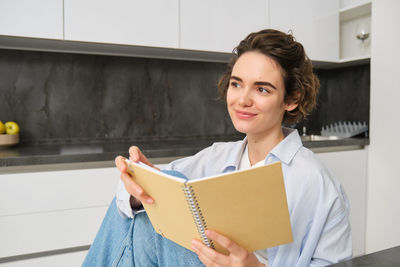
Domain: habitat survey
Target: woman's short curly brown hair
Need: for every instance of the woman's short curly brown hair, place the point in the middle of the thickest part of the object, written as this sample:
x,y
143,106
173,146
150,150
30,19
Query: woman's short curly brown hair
x,y
301,84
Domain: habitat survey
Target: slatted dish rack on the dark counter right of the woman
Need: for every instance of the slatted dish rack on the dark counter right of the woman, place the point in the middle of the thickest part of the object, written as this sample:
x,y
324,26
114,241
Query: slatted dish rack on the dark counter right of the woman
x,y
344,129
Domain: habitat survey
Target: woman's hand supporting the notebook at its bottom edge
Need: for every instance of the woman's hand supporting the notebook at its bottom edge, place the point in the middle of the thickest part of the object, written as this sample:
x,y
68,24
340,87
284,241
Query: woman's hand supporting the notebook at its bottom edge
x,y
238,256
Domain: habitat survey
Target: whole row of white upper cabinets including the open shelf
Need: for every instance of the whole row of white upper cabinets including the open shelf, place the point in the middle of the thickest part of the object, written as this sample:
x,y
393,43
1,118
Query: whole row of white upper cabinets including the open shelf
x,y
329,30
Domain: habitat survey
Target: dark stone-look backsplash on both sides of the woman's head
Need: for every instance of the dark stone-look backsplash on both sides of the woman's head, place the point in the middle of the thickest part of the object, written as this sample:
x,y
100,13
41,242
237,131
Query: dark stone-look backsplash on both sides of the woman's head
x,y
60,97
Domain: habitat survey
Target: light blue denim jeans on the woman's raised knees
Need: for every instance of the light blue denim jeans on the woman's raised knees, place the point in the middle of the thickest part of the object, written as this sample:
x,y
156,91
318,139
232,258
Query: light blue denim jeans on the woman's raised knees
x,y
124,242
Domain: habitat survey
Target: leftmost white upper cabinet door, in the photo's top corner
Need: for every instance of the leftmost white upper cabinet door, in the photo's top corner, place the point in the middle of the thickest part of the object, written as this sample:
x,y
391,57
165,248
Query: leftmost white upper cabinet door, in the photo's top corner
x,y
27,18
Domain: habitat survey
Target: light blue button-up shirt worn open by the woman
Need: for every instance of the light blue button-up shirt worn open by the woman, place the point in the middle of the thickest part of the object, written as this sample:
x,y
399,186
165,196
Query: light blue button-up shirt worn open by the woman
x,y
317,204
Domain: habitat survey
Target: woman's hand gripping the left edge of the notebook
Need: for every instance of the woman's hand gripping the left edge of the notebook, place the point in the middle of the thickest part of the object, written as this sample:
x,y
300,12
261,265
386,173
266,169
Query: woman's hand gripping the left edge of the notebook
x,y
133,188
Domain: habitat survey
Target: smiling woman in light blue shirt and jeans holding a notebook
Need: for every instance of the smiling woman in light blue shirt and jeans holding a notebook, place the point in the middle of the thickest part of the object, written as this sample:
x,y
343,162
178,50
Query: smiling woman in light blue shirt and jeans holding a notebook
x,y
269,81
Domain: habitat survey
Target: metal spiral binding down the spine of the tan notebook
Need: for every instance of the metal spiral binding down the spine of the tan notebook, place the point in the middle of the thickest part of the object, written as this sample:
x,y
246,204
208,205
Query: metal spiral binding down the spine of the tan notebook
x,y
197,214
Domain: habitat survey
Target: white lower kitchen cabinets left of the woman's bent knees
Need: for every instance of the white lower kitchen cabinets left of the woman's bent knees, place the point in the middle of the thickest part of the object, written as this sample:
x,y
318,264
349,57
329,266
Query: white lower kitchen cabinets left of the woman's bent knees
x,y
52,210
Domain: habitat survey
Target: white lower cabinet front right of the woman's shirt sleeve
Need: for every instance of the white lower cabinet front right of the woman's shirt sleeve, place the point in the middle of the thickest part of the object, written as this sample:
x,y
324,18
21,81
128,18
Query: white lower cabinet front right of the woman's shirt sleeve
x,y
350,168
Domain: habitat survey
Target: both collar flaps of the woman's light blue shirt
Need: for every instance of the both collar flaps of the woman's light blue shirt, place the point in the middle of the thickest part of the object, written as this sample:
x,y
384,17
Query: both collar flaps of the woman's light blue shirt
x,y
284,151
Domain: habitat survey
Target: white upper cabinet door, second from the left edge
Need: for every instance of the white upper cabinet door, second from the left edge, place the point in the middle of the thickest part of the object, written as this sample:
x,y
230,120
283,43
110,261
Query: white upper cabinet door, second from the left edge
x,y
131,22
